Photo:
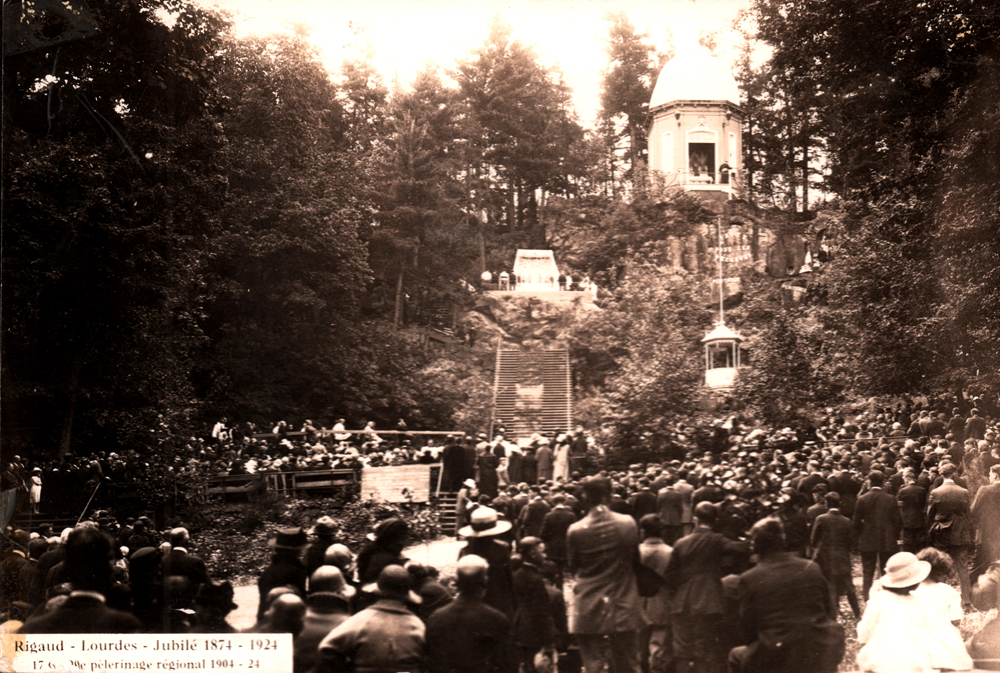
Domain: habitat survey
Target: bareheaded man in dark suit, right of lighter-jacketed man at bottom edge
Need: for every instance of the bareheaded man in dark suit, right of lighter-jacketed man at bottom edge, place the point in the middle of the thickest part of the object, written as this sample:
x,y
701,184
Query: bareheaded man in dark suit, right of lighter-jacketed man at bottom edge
x,y
467,635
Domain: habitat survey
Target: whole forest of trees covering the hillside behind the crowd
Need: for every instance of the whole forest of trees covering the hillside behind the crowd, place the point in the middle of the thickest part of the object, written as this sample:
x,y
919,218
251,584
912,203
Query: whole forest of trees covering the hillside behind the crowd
x,y
197,225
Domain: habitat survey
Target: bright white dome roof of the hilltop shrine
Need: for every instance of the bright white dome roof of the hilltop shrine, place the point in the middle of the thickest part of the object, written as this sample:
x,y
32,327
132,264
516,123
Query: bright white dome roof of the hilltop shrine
x,y
694,74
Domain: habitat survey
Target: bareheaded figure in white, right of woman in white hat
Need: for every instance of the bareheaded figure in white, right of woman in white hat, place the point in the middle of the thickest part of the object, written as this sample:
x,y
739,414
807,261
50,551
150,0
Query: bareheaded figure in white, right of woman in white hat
x,y
944,607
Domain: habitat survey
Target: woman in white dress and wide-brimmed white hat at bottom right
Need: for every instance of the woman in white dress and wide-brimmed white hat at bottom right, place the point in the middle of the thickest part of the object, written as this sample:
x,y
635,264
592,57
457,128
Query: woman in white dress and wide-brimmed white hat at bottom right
x,y
895,624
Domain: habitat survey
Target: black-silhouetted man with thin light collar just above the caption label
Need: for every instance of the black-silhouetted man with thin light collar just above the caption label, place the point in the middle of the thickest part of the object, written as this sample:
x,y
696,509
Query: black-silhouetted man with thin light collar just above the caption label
x,y
85,610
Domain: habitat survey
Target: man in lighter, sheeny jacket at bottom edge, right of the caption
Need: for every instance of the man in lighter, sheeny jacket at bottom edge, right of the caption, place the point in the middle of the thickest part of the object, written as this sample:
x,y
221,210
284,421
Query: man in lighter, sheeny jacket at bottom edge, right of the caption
x,y
385,637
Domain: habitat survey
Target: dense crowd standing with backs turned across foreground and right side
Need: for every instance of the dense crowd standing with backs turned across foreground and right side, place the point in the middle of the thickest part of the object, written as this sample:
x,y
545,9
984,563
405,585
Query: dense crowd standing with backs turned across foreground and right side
x,y
735,557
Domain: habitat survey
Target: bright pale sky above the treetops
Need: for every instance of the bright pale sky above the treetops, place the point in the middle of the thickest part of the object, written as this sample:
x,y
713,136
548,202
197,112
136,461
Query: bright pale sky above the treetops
x,y
568,34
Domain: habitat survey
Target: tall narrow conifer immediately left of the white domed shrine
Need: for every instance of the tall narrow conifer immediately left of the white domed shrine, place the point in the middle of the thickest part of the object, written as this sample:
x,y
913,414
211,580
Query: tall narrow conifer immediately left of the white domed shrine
x,y
627,85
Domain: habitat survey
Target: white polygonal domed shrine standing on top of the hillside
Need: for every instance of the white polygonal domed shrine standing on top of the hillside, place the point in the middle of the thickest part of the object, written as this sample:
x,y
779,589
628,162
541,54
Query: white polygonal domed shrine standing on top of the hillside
x,y
695,120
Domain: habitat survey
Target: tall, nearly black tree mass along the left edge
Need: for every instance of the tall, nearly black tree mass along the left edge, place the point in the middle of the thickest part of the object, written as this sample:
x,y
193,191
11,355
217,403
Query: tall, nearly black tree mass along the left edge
x,y
97,336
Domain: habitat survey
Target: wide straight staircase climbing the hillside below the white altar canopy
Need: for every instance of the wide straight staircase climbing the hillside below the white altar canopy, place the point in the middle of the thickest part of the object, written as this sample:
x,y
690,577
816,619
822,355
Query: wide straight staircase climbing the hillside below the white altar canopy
x,y
532,392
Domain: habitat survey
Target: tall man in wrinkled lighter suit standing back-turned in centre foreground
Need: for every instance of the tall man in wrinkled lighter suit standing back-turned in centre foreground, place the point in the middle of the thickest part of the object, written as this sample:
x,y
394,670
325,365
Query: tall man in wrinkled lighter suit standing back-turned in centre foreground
x,y
600,549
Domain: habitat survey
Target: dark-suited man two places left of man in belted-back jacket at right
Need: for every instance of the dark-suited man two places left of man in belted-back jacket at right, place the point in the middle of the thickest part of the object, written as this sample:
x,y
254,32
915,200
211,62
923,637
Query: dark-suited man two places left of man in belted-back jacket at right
x,y
876,525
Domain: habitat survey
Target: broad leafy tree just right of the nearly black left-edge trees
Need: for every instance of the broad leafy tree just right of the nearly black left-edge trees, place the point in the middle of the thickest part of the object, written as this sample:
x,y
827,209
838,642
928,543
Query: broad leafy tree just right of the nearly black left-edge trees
x,y
284,269
